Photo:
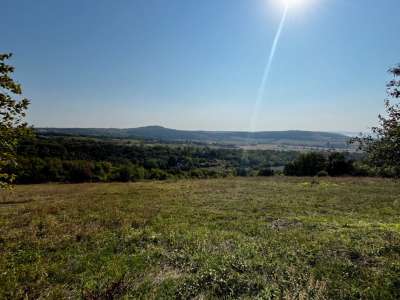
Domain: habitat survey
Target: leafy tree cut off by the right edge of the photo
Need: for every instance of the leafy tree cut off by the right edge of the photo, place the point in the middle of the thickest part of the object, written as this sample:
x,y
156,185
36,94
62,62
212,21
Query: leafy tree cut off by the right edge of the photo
x,y
383,149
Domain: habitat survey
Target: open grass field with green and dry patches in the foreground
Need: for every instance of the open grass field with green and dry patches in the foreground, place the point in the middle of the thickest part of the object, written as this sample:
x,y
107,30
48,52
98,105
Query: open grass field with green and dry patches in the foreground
x,y
275,238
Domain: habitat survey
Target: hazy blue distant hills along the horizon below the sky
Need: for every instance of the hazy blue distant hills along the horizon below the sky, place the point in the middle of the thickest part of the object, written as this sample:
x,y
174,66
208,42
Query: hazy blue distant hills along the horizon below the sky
x,y
291,137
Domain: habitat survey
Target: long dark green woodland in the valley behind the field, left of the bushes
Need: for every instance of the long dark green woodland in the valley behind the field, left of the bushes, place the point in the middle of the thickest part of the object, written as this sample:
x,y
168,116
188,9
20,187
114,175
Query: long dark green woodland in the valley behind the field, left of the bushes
x,y
69,159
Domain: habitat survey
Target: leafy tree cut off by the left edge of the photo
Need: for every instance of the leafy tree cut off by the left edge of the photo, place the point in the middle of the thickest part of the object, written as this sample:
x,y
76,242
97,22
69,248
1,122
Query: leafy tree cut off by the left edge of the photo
x,y
12,113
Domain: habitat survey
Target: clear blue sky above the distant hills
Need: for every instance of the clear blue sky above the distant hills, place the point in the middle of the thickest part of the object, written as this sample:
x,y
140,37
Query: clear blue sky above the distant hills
x,y
192,64
